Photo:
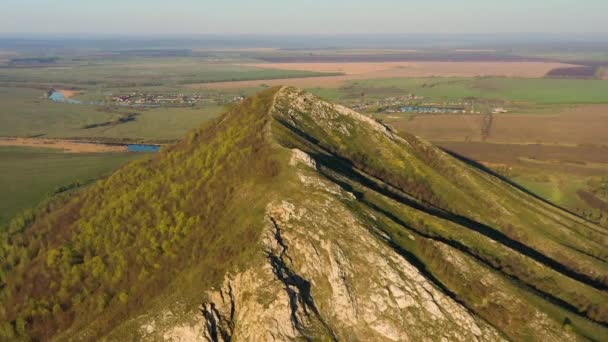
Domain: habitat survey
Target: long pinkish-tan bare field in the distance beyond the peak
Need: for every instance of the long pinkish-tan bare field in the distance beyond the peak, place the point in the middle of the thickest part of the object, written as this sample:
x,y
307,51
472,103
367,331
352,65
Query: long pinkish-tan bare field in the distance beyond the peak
x,y
370,70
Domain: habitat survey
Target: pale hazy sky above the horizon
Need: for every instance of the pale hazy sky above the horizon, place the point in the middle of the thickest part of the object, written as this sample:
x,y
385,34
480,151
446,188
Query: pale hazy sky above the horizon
x,y
303,16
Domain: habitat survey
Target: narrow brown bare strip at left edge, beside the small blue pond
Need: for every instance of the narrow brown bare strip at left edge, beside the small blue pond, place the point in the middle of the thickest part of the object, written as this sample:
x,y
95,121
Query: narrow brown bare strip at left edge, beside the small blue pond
x,y
65,145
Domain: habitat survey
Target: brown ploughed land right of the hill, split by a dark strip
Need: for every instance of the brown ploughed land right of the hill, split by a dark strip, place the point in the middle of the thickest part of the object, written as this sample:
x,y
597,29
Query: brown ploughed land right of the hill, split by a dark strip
x,y
572,126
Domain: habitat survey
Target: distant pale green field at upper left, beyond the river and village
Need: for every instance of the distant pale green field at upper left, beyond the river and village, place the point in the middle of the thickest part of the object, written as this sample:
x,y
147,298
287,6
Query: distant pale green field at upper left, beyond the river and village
x,y
131,72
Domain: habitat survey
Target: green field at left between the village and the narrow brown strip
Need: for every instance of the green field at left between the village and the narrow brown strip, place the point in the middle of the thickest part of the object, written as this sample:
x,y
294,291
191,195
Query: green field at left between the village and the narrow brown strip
x,y
26,113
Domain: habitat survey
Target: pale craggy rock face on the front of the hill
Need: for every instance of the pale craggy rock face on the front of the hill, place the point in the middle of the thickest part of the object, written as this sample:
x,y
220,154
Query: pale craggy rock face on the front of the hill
x,y
328,275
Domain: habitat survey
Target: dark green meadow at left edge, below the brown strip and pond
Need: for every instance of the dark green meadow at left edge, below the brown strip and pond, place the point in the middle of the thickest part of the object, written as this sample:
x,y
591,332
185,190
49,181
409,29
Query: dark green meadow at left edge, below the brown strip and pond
x,y
30,174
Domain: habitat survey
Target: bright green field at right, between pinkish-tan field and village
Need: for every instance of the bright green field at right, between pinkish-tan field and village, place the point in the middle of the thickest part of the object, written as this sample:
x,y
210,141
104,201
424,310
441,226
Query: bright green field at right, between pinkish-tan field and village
x,y
536,91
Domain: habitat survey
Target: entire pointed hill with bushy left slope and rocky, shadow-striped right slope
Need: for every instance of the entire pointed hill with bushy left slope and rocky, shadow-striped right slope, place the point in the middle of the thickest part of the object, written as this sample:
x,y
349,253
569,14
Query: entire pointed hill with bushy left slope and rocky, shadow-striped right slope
x,y
290,217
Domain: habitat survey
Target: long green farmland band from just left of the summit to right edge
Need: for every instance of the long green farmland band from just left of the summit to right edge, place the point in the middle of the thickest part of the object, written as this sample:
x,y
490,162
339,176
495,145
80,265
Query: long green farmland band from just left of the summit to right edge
x,y
540,91
